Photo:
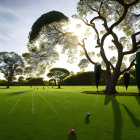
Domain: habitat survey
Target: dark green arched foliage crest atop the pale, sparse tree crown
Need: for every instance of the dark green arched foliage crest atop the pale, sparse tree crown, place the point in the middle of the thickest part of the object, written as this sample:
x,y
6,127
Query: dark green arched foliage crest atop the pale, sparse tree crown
x,y
48,18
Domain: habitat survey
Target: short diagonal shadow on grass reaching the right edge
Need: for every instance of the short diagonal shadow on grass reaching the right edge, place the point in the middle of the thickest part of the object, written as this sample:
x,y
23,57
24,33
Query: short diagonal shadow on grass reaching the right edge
x,y
135,121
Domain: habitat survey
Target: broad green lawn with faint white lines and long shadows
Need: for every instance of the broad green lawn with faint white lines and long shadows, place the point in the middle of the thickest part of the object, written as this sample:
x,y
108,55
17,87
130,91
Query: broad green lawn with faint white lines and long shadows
x,y
36,114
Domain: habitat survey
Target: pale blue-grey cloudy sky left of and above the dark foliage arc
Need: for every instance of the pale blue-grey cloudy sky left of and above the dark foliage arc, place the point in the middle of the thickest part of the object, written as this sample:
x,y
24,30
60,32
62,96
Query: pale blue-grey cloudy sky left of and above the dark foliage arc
x,y
18,16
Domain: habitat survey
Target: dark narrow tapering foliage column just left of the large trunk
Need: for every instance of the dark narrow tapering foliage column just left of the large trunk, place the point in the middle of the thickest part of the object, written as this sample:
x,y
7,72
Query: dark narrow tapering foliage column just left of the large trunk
x,y
97,74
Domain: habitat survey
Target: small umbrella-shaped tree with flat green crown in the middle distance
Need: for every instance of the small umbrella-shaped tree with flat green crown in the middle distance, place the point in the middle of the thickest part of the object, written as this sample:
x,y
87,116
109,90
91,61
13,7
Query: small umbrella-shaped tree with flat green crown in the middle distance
x,y
59,74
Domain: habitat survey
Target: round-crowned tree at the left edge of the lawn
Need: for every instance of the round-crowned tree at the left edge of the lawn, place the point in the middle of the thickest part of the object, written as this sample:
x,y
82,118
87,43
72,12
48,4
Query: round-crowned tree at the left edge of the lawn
x,y
11,64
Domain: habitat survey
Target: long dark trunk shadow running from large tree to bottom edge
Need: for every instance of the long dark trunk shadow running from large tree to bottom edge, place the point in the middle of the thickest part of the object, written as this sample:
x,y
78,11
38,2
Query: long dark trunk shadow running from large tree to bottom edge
x,y
117,116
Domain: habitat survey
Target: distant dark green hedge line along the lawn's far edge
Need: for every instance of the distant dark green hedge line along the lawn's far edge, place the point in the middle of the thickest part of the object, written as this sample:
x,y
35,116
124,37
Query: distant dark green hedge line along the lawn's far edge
x,y
81,78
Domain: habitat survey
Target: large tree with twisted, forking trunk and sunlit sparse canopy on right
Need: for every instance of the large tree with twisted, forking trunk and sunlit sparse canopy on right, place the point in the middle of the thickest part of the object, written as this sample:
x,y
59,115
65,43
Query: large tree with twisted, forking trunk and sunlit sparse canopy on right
x,y
118,20
